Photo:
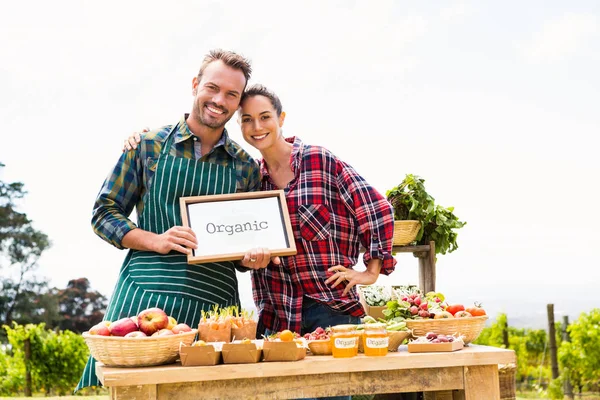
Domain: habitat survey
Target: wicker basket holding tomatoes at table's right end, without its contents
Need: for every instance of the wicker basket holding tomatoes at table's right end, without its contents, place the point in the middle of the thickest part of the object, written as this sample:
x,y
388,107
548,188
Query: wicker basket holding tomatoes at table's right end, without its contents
x,y
469,328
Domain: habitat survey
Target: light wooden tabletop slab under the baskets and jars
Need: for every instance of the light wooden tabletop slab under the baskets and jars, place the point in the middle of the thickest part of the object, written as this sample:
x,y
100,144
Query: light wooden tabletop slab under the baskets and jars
x,y
471,355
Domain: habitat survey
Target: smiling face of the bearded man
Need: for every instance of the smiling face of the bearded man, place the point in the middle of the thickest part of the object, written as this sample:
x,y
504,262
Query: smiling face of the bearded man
x,y
217,94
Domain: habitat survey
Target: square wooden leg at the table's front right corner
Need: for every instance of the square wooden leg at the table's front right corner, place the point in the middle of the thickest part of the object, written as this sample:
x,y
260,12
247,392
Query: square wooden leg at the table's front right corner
x,y
481,382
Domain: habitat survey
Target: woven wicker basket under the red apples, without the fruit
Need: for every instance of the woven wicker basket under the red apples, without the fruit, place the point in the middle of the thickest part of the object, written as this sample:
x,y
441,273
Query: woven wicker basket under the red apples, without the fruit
x,y
115,351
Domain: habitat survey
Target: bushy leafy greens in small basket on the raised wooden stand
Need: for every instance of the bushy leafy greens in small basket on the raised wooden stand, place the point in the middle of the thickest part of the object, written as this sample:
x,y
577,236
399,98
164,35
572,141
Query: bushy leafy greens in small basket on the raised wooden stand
x,y
411,202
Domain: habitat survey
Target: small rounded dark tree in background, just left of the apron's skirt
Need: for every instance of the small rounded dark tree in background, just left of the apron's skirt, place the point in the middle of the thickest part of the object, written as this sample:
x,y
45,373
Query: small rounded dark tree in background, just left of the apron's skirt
x,y
80,308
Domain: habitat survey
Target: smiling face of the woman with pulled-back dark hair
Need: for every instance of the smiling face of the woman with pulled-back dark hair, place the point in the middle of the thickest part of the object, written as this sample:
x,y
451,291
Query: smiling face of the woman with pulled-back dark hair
x,y
259,122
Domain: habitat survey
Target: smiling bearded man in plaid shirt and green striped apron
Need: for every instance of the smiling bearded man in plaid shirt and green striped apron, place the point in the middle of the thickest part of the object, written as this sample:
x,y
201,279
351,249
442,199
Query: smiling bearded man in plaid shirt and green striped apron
x,y
191,158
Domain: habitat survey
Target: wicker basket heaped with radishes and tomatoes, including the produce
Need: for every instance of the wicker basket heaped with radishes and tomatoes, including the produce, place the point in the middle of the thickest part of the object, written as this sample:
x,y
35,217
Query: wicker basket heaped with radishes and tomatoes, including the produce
x,y
430,312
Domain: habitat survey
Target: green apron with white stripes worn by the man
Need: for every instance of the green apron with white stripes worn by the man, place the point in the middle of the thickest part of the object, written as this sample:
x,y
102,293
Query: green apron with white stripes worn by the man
x,y
149,279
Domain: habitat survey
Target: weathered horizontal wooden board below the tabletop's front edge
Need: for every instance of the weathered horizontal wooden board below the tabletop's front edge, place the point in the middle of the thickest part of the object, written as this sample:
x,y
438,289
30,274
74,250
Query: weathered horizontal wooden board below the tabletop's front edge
x,y
309,386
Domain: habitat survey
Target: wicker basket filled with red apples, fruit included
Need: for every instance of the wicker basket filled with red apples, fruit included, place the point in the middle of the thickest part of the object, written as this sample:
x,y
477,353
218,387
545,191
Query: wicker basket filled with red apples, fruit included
x,y
149,338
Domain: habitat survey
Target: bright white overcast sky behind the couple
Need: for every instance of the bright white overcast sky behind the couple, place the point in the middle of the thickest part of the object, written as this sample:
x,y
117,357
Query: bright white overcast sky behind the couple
x,y
494,104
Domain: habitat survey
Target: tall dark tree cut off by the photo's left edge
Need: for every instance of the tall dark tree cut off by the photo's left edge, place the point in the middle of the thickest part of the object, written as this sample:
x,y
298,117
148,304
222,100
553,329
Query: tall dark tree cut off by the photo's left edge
x,y
21,246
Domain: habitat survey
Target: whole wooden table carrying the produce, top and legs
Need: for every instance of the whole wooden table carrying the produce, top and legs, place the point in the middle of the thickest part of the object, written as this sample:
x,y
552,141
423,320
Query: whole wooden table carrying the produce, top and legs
x,y
471,373
